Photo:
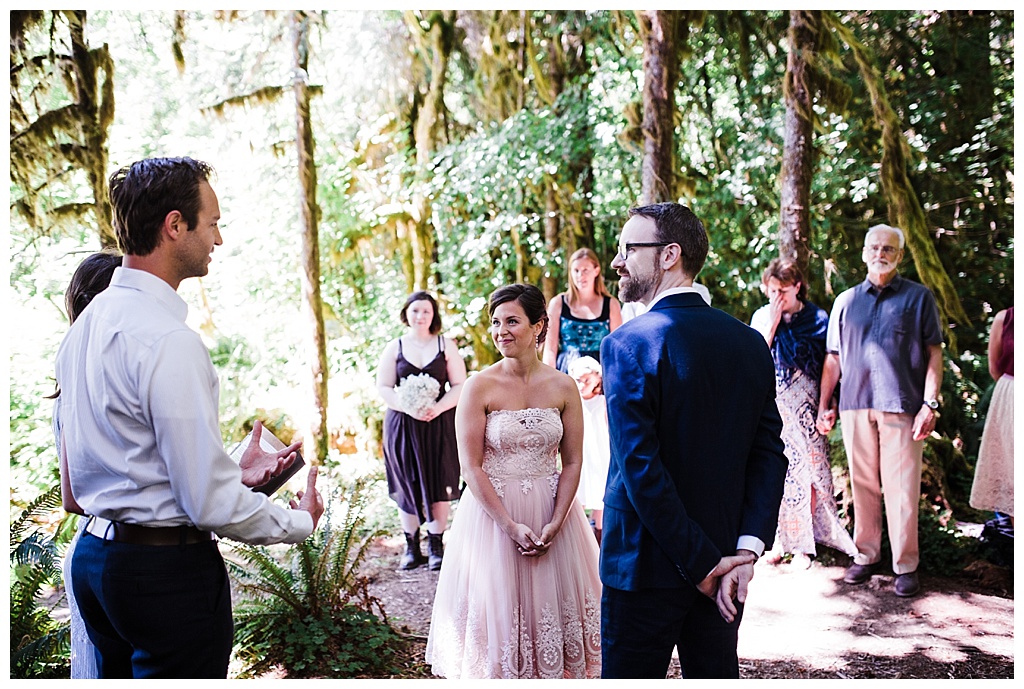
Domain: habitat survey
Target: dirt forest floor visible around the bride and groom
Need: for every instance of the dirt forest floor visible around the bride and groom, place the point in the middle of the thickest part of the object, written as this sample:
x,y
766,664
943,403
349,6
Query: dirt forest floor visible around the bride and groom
x,y
804,624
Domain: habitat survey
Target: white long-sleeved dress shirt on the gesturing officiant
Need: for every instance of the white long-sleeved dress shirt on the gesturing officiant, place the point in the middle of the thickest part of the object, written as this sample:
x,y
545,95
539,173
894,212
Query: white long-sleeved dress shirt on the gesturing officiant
x,y
140,410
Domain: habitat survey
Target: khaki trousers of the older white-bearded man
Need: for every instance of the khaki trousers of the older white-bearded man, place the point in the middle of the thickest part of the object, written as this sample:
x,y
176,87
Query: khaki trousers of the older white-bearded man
x,y
884,459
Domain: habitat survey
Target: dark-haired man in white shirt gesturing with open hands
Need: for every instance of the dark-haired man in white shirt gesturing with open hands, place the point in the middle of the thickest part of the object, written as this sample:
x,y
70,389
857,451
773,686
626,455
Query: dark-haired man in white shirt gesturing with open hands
x,y
140,406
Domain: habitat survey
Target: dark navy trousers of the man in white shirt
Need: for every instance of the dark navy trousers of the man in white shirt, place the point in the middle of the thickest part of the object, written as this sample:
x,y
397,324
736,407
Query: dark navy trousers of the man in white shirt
x,y
155,612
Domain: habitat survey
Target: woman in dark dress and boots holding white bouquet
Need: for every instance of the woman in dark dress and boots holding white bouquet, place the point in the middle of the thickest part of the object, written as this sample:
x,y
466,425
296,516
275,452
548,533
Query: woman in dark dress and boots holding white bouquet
x,y
420,455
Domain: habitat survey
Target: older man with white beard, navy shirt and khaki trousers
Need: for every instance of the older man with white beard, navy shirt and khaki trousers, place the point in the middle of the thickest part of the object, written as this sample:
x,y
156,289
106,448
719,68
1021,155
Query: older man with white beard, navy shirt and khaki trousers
x,y
885,343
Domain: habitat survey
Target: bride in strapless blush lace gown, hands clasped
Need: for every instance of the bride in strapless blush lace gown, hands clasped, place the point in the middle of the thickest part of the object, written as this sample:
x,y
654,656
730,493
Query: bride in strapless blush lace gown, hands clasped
x,y
520,593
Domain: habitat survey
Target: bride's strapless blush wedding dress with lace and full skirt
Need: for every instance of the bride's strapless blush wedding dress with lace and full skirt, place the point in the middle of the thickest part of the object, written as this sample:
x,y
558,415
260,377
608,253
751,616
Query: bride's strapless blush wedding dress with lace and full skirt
x,y
497,614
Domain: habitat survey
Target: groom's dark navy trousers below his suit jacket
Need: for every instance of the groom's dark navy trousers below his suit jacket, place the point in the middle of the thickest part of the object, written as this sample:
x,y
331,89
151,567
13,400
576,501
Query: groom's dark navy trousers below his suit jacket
x,y
639,630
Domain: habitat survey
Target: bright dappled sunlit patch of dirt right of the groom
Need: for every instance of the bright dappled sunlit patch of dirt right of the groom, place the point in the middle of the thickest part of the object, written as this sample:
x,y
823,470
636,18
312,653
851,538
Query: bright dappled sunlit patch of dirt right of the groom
x,y
829,625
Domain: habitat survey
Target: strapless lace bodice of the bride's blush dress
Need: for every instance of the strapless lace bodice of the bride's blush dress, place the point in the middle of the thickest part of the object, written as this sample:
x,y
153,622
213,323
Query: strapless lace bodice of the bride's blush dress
x,y
522,444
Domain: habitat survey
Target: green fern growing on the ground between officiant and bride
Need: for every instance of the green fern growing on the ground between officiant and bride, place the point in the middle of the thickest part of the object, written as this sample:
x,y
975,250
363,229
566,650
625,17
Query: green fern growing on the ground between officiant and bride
x,y
312,613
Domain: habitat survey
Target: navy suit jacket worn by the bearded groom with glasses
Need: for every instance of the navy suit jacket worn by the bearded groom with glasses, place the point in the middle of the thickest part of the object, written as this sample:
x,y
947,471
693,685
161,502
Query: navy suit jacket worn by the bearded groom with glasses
x,y
697,454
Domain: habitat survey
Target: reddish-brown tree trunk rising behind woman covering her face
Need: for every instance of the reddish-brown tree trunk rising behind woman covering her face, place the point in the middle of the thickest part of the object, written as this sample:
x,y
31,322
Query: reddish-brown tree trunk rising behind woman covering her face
x,y
798,146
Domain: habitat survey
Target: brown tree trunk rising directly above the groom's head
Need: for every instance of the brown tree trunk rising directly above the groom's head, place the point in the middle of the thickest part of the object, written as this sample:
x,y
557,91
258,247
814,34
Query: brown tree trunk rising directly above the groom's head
x,y
661,69
